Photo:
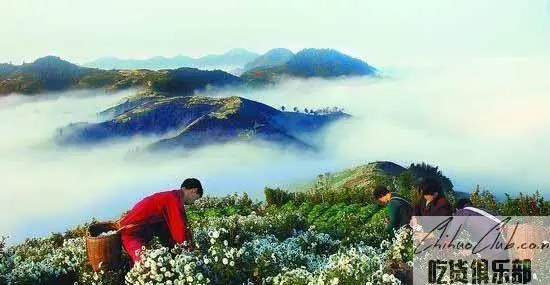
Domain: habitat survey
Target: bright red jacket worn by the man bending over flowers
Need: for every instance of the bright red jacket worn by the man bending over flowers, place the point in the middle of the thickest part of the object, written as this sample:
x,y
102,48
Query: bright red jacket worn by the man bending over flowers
x,y
160,207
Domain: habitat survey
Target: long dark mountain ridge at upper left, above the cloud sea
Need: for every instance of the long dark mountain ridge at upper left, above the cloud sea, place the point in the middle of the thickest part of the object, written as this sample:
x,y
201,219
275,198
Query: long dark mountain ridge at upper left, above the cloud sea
x,y
51,73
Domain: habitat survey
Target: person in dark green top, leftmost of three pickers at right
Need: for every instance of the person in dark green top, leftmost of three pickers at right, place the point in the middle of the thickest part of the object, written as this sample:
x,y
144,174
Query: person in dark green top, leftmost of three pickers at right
x,y
399,209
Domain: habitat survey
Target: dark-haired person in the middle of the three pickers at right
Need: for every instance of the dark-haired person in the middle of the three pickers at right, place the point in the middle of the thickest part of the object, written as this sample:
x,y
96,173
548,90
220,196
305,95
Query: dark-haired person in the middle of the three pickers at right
x,y
432,203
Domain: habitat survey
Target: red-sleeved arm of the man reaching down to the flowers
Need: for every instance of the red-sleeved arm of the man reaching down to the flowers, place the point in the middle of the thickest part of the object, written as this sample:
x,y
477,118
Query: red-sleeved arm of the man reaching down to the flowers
x,y
176,220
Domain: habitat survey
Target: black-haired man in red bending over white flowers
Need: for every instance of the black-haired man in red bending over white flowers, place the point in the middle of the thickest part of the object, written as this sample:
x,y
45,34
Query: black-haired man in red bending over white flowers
x,y
161,214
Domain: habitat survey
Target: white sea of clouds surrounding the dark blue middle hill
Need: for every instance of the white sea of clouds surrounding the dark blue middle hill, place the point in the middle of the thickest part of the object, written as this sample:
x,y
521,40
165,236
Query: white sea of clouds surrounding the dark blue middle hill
x,y
482,121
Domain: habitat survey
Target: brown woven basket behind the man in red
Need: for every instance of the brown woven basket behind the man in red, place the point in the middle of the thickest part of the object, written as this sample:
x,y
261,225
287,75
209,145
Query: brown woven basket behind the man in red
x,y
103,251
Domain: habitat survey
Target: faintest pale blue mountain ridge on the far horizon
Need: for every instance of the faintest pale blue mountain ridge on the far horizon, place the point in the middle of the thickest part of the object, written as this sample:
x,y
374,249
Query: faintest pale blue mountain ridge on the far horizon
x,y
229,61
